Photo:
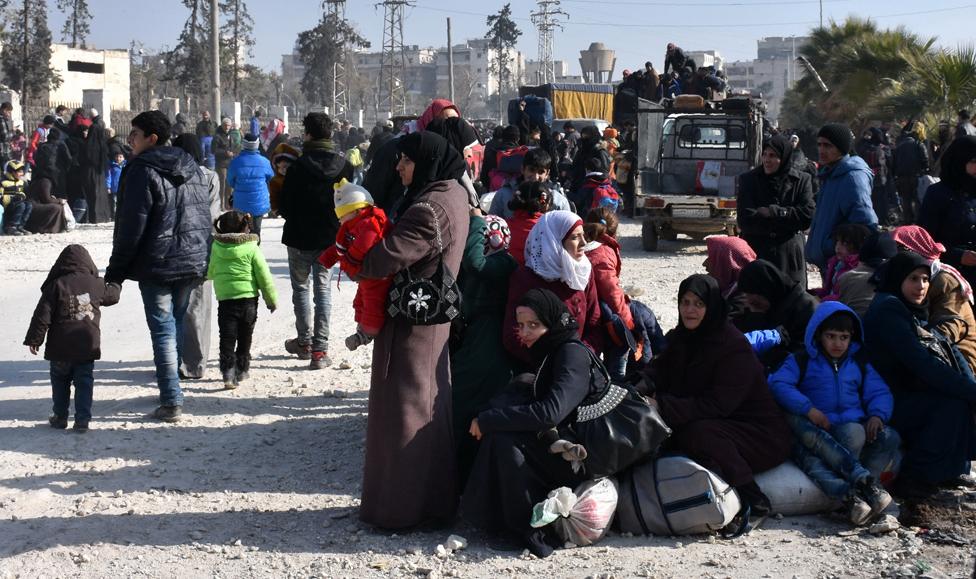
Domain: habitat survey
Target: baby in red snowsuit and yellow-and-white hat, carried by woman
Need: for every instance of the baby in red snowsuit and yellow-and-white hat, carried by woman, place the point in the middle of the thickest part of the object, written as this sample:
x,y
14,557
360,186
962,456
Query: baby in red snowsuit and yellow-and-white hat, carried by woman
x,y
362,226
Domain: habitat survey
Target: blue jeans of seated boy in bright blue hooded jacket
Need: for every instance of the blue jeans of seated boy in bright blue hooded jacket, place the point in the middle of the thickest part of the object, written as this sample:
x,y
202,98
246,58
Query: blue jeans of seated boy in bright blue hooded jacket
x,y
838,459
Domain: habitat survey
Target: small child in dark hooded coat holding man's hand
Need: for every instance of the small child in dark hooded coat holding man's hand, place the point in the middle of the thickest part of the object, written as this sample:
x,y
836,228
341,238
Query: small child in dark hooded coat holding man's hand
x,y
68,313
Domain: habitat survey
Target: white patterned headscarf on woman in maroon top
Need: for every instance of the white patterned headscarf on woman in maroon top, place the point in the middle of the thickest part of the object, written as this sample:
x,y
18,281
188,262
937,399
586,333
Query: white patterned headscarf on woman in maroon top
x,y
546,256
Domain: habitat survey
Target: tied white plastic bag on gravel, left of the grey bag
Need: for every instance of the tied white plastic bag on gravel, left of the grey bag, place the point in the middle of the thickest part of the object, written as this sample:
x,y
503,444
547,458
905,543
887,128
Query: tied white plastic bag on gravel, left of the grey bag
x,y
590,517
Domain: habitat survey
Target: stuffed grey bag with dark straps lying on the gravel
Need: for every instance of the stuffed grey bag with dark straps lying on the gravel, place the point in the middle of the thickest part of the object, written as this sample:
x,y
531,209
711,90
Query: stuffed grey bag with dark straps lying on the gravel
x,y
674,495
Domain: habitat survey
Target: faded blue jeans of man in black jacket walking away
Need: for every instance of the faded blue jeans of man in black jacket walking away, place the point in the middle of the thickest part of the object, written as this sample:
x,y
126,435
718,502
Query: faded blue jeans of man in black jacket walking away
x,y
303,265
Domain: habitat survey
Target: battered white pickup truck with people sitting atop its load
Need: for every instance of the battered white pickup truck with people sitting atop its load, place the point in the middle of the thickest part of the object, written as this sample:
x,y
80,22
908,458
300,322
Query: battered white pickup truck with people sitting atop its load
x,y
688,158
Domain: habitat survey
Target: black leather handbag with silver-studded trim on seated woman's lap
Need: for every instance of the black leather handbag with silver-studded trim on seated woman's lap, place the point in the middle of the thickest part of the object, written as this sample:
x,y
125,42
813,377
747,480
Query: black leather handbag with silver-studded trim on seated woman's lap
x,y
617,426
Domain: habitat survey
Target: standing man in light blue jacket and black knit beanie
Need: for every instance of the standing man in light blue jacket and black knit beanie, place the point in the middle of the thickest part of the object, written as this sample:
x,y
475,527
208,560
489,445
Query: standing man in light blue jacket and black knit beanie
x,y
845,193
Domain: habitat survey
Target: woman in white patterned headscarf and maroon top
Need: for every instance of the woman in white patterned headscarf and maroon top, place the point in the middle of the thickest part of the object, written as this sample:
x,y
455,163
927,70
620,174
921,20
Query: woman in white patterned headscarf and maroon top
x,y
555,260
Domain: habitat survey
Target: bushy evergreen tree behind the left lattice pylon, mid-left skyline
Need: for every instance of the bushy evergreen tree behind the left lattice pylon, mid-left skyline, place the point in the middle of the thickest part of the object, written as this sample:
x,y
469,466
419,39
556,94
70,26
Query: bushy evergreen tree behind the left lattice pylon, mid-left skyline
x,y
319,48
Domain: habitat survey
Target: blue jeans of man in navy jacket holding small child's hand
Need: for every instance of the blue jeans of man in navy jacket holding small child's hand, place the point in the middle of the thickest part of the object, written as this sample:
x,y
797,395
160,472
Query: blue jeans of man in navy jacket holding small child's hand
x,y
166,305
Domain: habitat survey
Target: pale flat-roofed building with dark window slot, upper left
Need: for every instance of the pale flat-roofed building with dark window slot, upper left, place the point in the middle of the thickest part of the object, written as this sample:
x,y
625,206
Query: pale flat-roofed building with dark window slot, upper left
x,y
113,78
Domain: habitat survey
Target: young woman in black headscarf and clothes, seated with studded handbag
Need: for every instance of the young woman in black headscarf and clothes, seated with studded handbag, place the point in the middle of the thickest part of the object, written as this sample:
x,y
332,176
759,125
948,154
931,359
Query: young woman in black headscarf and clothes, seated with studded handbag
x,y
514,469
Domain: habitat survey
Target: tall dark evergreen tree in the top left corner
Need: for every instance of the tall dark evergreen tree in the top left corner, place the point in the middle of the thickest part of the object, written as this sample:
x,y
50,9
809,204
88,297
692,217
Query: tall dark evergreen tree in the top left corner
x,y
26,58
